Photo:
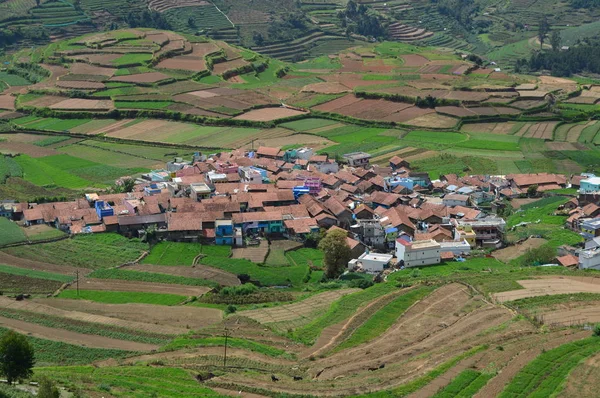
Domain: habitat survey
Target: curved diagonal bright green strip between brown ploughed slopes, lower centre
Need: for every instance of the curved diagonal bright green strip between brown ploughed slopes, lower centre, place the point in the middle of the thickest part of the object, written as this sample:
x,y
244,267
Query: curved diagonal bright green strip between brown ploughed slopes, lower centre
x,y
381,320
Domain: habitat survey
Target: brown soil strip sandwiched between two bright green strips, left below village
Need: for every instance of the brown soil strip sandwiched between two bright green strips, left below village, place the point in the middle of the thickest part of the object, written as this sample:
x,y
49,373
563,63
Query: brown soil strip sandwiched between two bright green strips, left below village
x,y
148,287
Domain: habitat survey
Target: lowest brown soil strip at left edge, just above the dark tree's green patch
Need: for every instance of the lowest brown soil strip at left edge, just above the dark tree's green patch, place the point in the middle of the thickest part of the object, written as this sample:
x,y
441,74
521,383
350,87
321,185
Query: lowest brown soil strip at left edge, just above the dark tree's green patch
x,y
66,336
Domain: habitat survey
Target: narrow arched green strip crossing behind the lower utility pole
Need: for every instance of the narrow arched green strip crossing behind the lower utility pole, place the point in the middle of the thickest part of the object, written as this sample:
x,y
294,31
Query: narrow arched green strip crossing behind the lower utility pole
x,y
191,341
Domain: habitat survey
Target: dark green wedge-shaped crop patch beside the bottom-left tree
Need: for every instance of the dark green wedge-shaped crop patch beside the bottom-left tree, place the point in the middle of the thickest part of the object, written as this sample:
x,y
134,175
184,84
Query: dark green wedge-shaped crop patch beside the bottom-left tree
x,y
49,352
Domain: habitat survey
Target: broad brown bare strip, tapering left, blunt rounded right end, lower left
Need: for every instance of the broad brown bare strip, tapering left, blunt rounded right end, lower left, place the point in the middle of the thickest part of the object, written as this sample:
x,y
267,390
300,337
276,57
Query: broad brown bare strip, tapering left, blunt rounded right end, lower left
x,y
184,317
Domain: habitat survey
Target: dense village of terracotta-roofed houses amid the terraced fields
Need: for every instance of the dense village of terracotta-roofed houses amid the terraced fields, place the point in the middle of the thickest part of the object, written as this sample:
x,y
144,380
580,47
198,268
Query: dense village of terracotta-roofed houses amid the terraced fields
x,y
391,213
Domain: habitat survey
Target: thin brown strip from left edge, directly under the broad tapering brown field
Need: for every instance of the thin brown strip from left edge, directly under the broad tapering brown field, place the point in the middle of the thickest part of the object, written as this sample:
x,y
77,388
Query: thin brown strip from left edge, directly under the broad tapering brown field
x,y
85,317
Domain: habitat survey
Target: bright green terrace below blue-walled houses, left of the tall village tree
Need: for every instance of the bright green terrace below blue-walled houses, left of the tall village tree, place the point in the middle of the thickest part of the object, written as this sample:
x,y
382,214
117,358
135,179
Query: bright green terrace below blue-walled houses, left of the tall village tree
x,y
267,276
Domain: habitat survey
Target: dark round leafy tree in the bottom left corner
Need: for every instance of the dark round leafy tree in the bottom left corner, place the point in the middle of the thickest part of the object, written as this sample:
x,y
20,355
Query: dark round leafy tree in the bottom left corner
x,y
16,357
